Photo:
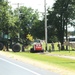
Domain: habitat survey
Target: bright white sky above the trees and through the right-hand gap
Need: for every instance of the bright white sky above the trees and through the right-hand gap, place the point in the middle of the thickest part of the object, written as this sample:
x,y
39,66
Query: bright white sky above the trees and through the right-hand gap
x,y
35,4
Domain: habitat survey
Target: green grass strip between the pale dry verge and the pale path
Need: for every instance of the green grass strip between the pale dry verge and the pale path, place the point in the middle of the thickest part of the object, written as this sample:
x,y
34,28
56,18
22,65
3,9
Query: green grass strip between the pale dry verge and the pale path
x,y
61,62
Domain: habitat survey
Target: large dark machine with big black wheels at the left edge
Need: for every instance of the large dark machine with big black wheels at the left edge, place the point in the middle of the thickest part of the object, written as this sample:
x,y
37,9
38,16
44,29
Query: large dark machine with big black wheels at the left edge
x,y
9,43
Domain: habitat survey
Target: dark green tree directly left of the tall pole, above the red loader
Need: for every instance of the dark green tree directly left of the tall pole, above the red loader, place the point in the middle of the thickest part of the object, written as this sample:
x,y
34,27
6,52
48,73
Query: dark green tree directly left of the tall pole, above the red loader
x,y
38,30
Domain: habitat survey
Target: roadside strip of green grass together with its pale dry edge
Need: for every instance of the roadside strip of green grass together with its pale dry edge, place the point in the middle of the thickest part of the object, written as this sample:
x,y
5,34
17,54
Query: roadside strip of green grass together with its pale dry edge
x,y
49,62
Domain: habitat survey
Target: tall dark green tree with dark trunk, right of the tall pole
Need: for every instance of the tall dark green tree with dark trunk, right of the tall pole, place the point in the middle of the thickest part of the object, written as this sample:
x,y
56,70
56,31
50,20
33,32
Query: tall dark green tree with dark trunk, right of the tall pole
x,y
63,12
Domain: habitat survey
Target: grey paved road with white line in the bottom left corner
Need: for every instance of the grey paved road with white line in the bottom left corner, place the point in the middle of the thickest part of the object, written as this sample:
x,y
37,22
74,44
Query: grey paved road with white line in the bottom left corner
x,y
10,66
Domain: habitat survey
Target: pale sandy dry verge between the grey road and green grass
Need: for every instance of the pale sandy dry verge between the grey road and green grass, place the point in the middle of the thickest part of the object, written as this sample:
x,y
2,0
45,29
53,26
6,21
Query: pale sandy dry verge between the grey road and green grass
x,y
40,64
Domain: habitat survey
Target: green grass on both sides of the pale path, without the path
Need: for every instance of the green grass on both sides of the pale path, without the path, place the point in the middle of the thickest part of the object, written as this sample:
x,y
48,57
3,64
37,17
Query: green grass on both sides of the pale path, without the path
x,y
51,60
